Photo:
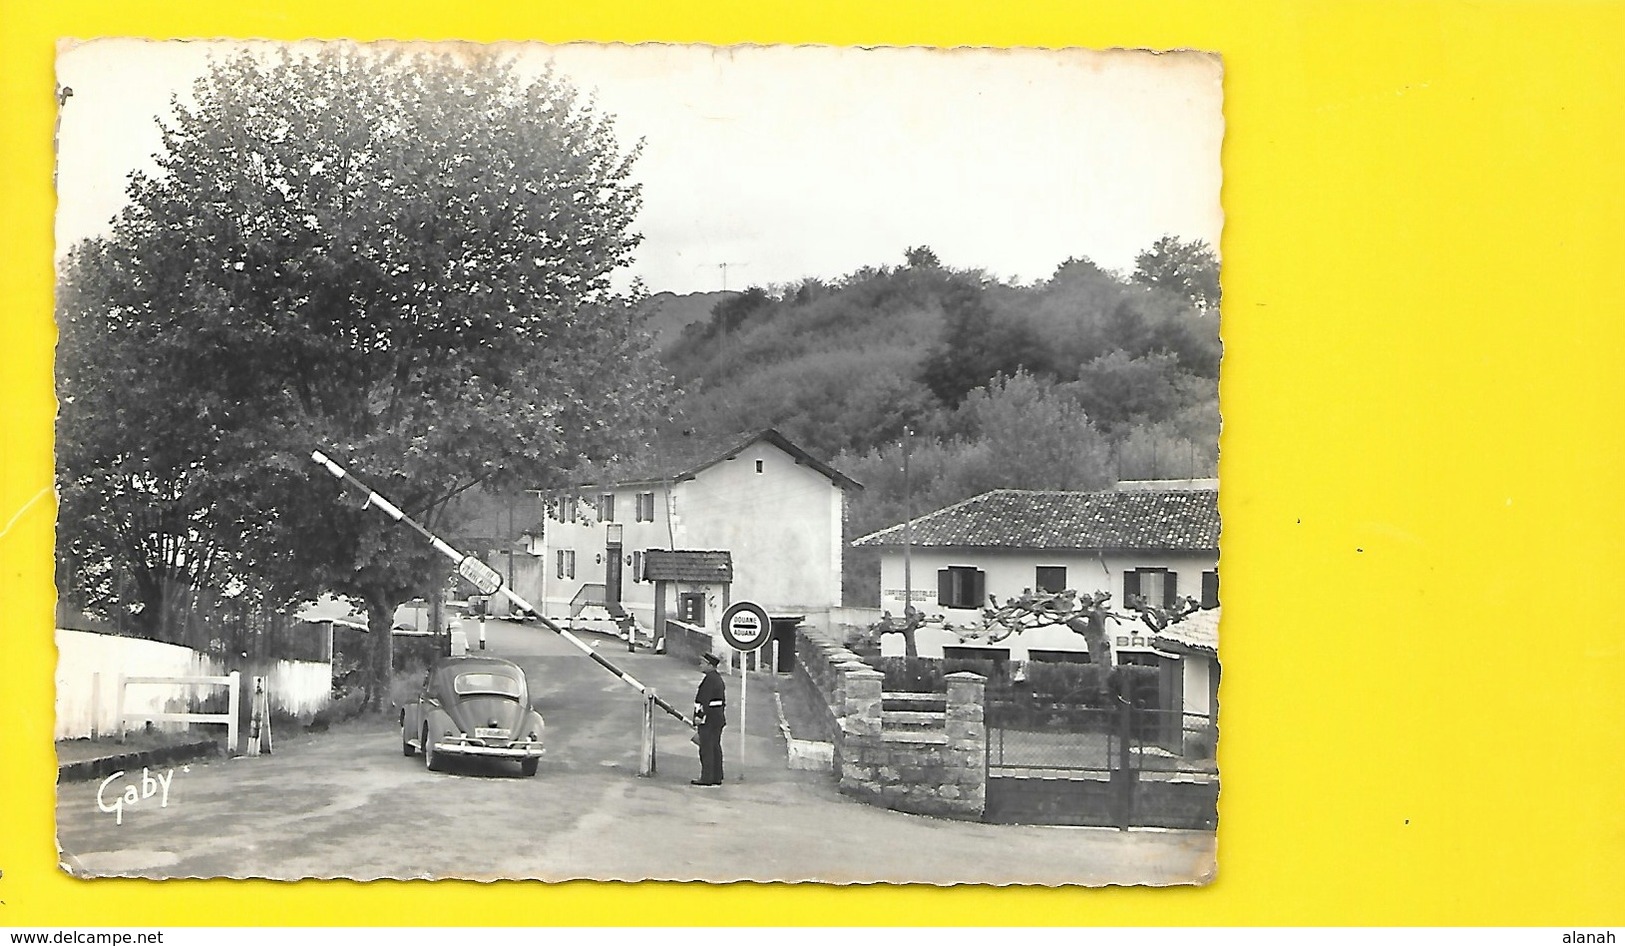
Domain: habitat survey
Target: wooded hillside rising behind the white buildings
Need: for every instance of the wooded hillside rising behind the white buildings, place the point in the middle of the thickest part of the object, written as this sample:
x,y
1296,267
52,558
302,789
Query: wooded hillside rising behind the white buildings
x,y
1067,384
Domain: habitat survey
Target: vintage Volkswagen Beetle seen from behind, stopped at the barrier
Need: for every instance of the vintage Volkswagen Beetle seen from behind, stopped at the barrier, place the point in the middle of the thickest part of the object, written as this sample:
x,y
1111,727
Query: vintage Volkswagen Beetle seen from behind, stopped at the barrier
x,y
474,706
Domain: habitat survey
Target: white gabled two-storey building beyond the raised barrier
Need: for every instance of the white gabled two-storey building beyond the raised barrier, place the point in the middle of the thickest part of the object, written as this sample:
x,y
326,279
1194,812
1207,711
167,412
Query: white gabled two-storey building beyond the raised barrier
x,y
769,505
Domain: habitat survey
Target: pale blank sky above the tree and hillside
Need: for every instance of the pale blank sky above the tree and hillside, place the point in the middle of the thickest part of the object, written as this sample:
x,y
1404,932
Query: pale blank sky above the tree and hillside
x,y
771,165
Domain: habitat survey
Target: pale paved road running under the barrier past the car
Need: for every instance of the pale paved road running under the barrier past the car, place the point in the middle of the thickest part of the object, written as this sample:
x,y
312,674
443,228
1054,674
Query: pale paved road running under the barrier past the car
x,y
349,804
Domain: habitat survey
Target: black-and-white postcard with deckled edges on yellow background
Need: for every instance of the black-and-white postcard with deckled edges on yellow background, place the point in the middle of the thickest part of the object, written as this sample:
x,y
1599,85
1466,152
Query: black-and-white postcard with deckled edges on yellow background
x,y
638,462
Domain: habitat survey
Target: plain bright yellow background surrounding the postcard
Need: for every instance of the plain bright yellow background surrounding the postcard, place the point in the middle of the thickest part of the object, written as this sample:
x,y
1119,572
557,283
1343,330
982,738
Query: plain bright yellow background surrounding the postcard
x,y
1424,696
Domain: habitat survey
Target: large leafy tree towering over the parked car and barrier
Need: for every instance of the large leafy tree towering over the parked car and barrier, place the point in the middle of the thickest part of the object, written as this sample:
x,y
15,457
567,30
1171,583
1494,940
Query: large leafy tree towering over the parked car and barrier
x,y
402,259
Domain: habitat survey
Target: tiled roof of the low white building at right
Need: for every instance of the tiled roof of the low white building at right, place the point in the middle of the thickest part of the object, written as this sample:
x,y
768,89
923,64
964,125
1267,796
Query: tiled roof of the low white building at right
x,y
1025,519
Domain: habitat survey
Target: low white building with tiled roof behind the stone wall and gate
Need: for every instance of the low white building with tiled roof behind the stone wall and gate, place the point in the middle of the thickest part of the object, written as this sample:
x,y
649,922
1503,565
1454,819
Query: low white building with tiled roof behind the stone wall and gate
x,y
1158,544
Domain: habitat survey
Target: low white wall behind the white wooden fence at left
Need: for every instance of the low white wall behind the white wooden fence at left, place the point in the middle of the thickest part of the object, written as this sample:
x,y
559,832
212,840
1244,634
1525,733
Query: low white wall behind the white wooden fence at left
x,y
89,669
